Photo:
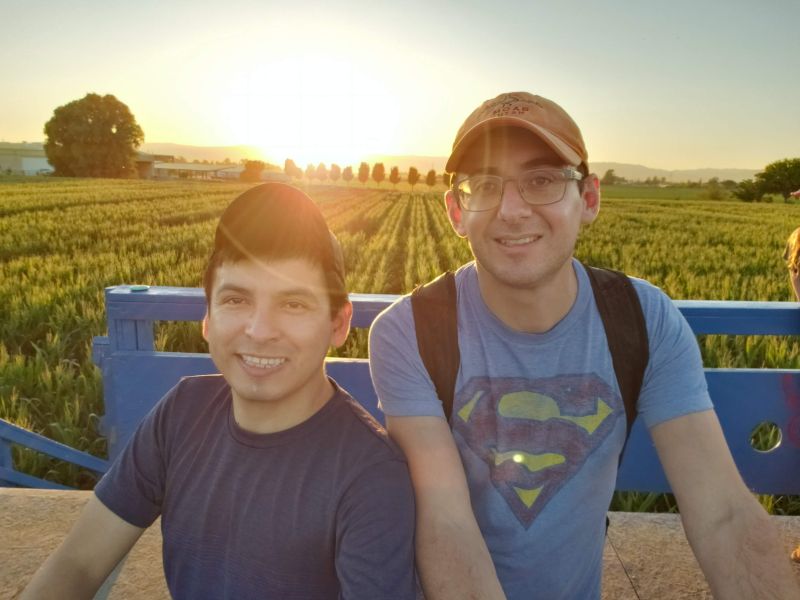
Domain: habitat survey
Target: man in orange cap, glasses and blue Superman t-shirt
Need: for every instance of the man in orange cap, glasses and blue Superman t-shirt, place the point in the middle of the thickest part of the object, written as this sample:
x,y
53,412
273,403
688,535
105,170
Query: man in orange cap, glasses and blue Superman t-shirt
x,y
512,494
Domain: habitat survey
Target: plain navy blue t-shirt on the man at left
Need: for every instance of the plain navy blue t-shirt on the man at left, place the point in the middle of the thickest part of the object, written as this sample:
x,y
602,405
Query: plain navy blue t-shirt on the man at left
x,y
322,510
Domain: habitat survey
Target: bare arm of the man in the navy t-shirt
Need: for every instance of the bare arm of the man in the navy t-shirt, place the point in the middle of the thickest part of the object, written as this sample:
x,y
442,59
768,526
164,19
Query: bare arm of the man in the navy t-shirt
x,y
97,542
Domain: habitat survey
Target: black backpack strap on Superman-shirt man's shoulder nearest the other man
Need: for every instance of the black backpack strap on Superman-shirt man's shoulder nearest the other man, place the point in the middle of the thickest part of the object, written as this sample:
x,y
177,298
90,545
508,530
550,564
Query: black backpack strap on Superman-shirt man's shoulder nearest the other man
x,y
434,308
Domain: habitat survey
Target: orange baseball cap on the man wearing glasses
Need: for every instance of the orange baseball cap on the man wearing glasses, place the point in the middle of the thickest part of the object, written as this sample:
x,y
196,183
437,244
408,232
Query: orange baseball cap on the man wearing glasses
x,y
538,115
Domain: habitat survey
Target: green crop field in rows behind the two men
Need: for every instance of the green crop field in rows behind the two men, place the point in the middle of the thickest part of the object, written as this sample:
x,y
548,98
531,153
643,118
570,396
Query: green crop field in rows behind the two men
x,y
62,241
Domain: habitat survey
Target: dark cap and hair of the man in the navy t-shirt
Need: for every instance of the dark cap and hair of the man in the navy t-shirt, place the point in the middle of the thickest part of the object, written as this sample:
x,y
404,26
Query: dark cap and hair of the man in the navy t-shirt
x,y
277,221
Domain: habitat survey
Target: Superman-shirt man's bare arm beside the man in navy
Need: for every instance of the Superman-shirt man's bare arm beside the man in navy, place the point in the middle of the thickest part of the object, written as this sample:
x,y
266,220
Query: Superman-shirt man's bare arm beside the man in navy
x,y
452,558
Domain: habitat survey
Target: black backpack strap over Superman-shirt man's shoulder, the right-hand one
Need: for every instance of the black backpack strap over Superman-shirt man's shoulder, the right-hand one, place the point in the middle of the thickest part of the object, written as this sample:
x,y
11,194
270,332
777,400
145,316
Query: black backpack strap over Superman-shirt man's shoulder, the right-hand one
x,y
626,332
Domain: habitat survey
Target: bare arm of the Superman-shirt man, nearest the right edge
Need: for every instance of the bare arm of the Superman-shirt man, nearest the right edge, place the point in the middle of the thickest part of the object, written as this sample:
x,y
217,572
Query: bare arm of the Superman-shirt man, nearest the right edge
x,y
732,537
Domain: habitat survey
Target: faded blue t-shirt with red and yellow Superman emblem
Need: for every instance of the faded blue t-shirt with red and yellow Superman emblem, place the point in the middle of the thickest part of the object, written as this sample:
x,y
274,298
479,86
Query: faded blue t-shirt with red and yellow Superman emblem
x,y
539,422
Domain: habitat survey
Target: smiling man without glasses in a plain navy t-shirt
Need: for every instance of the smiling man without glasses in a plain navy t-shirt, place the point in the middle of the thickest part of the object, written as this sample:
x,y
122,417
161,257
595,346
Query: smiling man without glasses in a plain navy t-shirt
x,y
270,480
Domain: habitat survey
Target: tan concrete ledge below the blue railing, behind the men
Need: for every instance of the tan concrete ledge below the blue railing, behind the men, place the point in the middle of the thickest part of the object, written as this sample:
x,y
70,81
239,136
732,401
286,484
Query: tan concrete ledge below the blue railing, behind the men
x,y
646,555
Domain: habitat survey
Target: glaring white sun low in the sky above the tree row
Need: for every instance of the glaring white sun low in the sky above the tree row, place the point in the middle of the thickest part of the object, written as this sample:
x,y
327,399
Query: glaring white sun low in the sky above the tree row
x,y
312,108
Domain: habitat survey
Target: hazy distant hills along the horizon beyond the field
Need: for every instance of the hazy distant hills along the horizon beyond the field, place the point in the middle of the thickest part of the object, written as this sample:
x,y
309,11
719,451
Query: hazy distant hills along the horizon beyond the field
x,y
424,163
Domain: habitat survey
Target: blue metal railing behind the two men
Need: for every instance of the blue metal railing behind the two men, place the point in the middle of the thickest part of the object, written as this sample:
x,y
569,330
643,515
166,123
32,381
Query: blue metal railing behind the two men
x,y
135,376
